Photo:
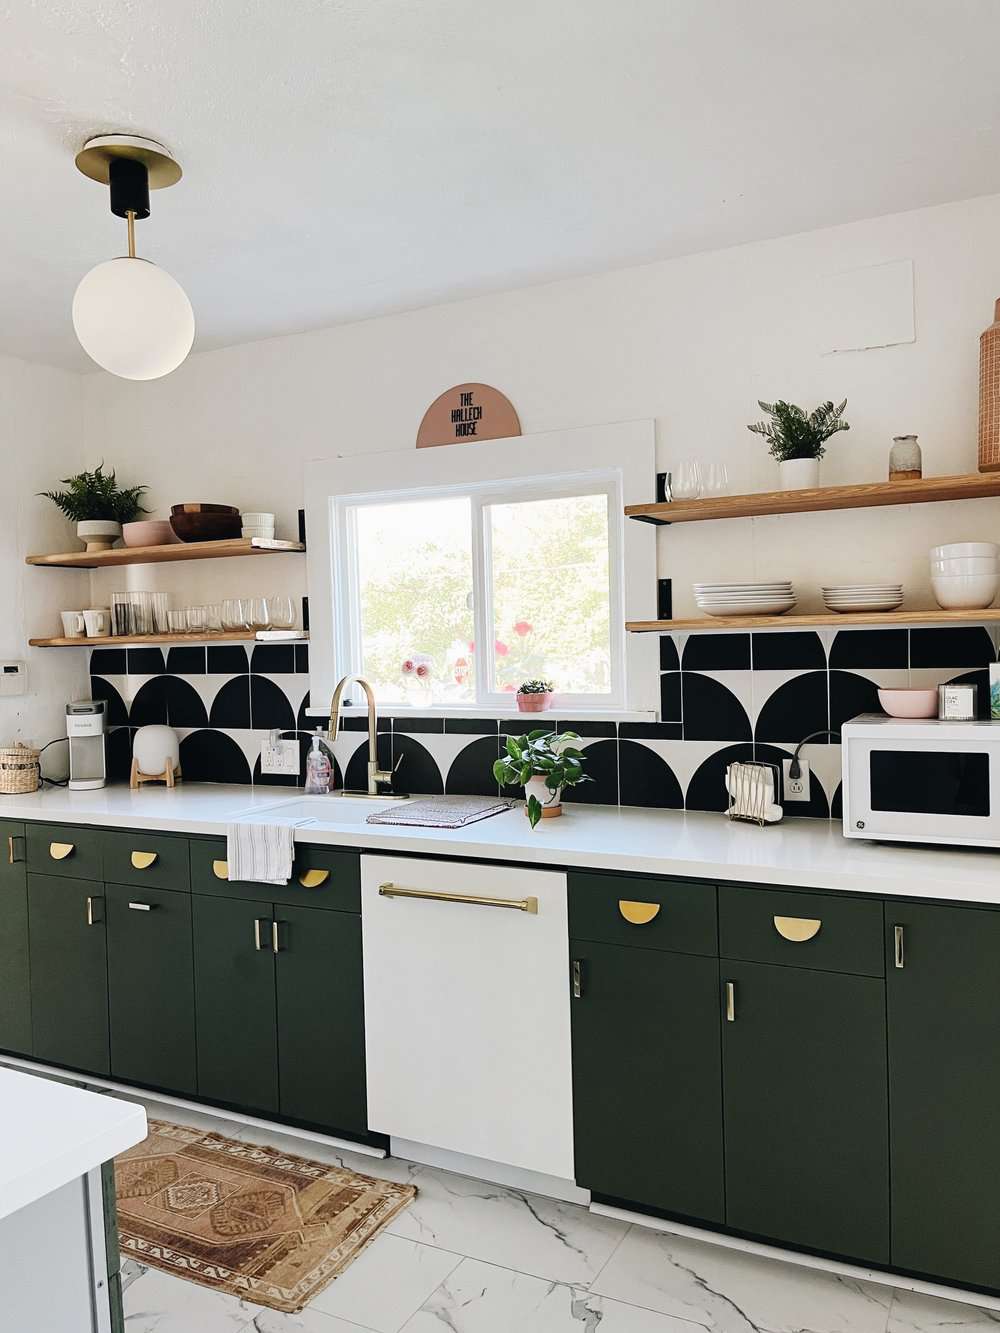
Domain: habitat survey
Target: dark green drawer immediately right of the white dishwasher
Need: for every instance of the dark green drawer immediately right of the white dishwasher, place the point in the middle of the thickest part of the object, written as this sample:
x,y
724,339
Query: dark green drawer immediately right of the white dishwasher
x,y
677,915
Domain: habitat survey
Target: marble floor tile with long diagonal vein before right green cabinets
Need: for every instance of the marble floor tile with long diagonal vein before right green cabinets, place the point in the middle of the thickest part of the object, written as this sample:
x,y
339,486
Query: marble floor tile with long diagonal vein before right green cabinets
x,y
734,1292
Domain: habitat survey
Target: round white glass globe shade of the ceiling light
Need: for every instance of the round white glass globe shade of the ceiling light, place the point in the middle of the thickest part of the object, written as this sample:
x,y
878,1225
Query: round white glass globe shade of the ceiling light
x,y
134,319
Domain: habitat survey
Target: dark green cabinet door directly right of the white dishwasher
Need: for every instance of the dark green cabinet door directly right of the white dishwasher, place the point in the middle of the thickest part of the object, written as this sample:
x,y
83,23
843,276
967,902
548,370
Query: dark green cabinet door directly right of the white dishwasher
x,y
647,1078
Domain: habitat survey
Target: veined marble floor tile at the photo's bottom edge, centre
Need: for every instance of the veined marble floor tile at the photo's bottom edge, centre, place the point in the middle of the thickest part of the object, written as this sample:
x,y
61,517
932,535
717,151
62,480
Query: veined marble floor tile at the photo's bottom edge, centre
x,y
482,1299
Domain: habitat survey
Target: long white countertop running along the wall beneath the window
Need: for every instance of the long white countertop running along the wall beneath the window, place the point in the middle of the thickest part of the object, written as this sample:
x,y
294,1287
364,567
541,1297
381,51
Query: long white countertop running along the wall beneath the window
x,y
809,854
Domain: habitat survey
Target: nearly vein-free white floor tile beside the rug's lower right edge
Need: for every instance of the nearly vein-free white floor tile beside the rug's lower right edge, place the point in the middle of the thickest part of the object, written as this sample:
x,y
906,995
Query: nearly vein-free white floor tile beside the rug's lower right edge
x,y
387,1284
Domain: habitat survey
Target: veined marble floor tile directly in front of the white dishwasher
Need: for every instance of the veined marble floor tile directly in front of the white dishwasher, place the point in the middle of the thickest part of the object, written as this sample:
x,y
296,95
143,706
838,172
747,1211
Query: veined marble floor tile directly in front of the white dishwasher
x,y
563,1243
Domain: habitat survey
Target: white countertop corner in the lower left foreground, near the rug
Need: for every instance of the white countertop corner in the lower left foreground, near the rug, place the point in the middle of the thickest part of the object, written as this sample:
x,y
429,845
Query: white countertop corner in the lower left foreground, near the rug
x,y
53,1134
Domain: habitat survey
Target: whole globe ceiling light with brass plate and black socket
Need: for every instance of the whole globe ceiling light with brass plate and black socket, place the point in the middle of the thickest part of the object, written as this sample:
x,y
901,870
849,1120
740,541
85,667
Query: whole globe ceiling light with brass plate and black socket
x,y
131,317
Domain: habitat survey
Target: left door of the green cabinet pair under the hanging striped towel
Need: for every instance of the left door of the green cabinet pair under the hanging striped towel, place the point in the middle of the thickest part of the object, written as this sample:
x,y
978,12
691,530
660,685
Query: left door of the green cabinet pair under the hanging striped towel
x,y
235,1003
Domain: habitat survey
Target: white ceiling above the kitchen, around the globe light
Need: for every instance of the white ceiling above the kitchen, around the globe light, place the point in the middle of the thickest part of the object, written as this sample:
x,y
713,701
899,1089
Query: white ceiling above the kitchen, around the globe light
x,y
350,158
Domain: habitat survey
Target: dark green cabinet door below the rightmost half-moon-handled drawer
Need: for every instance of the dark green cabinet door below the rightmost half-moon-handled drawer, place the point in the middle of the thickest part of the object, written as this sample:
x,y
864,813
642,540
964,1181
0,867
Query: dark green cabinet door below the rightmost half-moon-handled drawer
x,y
806,1108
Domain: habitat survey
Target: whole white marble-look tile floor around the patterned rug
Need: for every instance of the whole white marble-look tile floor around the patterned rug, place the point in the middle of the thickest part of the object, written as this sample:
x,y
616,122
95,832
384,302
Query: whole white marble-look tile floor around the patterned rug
x,y
473,1258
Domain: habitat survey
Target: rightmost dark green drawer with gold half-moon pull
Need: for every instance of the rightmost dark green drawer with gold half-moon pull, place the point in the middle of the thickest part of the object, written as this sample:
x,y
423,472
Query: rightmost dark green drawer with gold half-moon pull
x,y
802,930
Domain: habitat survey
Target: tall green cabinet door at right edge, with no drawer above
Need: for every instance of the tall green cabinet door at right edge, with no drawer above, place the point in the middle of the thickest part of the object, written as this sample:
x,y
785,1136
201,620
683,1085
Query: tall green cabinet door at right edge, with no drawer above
x,y
945,1091
